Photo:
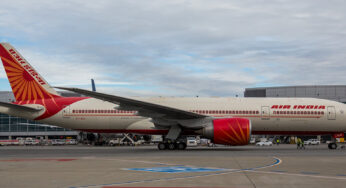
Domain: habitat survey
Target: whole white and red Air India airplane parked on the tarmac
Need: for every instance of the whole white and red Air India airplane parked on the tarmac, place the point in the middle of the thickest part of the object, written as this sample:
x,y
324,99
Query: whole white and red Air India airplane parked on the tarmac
x,y
227,121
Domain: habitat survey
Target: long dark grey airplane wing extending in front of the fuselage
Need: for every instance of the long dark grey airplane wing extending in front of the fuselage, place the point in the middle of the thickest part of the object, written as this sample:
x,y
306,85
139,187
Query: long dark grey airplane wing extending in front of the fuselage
x,y
145,109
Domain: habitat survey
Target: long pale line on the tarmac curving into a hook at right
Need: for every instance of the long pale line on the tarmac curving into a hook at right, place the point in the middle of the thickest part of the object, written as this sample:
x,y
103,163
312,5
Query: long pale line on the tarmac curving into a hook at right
x,y
276,162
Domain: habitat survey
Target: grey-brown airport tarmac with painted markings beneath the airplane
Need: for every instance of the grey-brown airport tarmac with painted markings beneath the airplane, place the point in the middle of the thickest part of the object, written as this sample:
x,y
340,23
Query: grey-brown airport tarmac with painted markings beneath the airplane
x,y
145,166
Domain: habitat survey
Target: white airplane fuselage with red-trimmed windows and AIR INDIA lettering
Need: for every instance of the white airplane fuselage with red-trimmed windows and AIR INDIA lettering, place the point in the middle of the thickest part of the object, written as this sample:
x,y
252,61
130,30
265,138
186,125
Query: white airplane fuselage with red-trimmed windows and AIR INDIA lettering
x,y
267,115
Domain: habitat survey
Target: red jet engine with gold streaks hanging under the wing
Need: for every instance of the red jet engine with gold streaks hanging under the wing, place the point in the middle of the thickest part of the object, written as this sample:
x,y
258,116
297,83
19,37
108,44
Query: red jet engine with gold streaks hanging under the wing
x,y
228,131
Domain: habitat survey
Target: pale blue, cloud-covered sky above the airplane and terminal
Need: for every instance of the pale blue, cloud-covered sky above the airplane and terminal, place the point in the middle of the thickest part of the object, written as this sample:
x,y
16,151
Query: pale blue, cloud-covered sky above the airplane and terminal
x,y
180,47
